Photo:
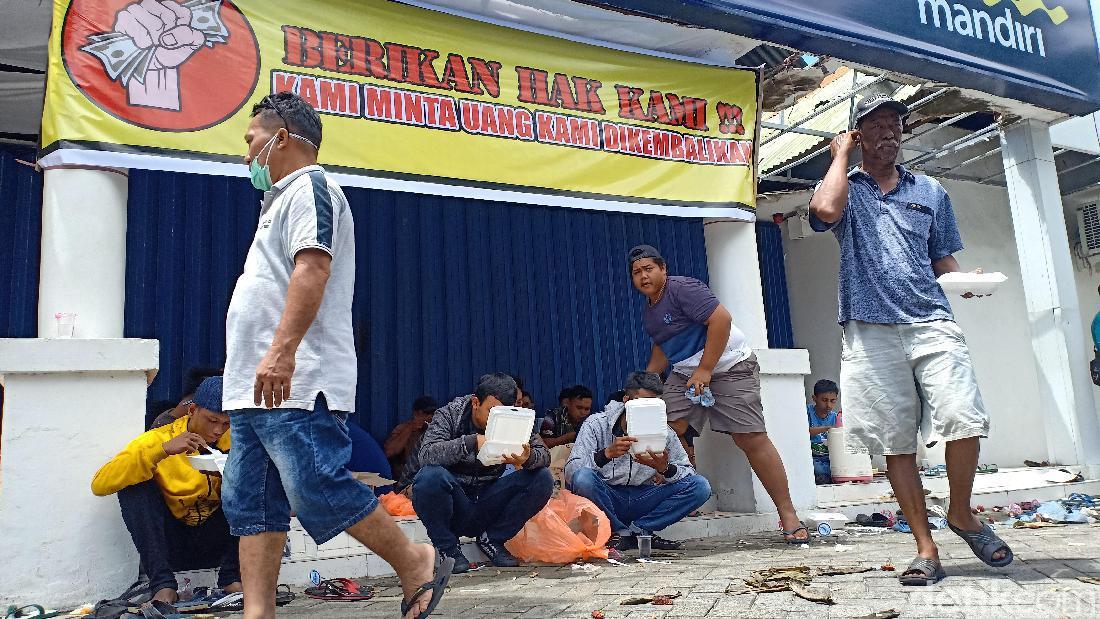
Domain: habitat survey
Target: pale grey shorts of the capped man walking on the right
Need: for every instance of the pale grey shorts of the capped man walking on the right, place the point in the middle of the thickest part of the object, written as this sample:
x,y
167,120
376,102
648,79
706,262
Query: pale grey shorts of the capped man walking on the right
x,y
899,379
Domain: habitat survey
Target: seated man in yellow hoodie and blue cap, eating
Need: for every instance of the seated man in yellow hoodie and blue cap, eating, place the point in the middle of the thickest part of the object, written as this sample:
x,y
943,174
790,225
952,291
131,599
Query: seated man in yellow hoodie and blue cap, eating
x,y
173,511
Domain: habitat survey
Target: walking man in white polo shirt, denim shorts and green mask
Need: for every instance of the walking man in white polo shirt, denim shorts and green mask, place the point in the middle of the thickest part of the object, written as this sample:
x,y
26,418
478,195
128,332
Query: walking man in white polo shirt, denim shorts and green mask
x,y
291,372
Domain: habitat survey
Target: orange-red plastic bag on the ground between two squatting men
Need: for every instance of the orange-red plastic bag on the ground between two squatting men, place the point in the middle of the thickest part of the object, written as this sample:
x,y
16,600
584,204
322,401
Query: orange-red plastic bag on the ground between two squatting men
x,y
569,528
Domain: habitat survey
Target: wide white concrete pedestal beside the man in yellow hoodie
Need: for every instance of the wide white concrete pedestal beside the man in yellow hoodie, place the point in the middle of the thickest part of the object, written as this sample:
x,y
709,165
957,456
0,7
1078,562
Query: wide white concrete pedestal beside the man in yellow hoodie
x,y
70,406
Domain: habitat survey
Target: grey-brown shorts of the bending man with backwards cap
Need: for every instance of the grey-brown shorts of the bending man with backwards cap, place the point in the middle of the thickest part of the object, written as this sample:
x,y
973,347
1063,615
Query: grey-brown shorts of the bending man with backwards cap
x,y
738,408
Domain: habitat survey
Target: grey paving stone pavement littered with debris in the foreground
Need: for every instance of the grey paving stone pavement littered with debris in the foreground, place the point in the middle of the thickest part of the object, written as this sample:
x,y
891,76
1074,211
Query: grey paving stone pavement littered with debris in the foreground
x,y
1042,582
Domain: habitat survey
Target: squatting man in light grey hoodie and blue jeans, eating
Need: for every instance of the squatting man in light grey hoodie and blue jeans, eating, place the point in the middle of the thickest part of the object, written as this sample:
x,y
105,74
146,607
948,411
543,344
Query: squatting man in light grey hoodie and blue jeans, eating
x,y
642,493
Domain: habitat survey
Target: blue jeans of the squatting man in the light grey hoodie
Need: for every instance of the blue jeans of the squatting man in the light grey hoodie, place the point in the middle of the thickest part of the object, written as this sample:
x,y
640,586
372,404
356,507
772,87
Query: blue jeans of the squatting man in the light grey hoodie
x,y
651,507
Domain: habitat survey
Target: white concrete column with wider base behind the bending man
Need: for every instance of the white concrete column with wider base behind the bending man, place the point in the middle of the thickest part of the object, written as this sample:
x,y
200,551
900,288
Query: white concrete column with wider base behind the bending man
x,y
735,279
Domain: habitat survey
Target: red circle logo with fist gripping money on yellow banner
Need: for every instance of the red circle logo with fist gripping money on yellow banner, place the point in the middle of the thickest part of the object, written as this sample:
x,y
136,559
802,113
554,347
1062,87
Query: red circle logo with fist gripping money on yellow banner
x,y
161,64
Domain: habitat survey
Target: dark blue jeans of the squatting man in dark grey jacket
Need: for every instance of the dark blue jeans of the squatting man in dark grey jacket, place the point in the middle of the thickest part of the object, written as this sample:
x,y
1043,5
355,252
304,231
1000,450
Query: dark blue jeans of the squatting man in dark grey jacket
x,y
500,511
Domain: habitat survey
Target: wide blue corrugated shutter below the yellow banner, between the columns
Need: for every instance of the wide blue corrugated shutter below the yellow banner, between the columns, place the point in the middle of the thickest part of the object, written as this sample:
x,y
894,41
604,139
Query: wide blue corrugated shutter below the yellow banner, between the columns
x,y
447,289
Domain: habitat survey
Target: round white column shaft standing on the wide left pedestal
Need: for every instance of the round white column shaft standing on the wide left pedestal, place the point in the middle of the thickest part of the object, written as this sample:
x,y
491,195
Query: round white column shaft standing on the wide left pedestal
x,y
84,251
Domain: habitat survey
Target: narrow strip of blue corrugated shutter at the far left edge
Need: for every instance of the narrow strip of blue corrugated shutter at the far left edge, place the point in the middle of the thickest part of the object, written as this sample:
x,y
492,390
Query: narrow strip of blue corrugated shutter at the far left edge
x,y
20,249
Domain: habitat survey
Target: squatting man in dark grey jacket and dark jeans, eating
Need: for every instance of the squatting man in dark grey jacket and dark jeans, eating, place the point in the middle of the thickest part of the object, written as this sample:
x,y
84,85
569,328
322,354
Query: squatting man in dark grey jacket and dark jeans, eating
x,y
456,495
